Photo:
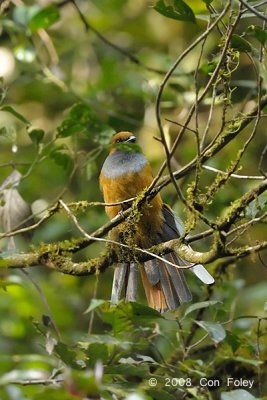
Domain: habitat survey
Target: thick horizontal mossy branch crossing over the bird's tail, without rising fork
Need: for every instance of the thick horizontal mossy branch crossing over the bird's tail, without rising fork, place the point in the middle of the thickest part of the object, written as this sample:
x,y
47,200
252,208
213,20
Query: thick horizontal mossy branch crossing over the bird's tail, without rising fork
x,y
64,264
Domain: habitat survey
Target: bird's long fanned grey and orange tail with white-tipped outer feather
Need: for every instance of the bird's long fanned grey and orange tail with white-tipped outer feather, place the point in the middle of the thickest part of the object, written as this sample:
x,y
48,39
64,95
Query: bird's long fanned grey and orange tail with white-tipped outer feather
x,y
165,285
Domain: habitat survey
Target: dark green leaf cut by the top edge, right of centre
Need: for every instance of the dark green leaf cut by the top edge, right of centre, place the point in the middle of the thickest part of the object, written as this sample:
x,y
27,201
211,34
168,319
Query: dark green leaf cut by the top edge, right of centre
x,y
179,11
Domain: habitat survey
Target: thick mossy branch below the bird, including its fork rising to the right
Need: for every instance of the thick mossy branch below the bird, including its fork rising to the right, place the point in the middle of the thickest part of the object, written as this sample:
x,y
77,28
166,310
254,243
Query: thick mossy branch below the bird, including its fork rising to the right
x,y
53,255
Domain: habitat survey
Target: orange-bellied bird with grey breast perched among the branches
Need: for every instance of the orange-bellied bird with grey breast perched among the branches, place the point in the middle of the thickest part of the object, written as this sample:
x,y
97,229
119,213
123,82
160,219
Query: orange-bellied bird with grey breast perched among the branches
x,y
125,174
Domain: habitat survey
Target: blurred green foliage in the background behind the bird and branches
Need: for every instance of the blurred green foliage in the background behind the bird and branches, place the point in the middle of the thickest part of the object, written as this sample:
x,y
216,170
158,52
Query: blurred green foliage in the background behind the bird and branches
x,y
64,91
